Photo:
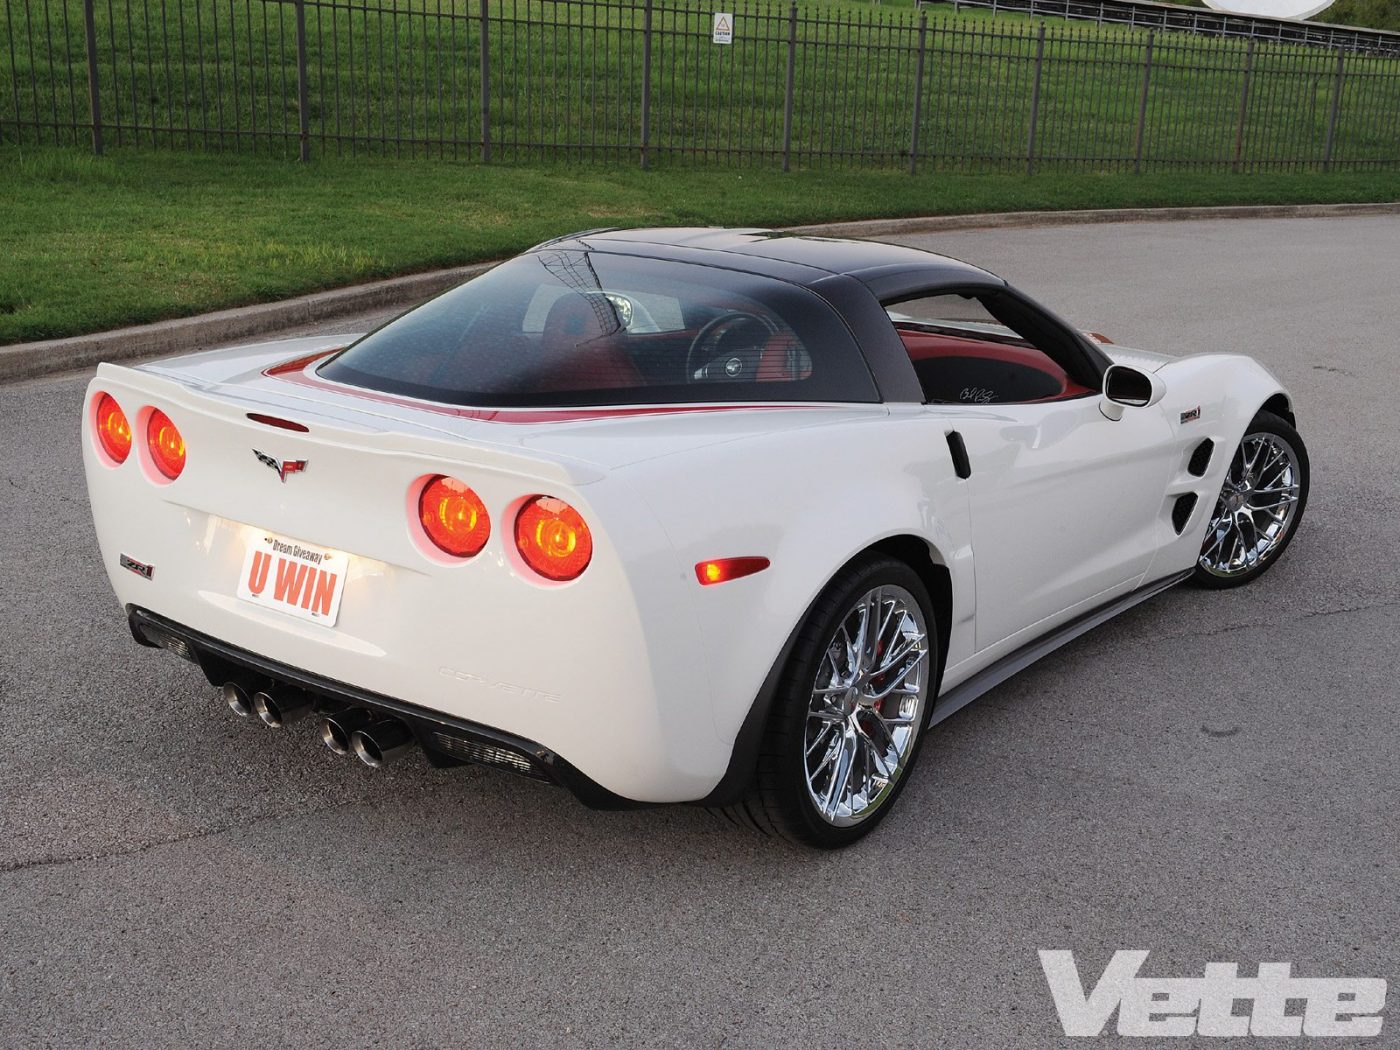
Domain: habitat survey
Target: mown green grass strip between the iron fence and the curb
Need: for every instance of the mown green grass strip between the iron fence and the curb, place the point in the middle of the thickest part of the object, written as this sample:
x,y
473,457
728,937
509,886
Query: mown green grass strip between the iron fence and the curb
x,y
141,236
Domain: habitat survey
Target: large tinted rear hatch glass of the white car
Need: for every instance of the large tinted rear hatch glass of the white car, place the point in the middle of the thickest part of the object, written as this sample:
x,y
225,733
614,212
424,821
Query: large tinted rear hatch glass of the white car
x,y
565,328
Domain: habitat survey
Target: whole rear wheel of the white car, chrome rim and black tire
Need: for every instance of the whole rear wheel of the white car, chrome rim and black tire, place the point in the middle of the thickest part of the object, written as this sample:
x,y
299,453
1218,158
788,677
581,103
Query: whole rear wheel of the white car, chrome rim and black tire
x,y
850,710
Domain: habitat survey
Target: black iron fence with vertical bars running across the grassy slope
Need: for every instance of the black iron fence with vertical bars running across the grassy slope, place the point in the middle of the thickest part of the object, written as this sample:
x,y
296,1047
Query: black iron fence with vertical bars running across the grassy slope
x,y
646,83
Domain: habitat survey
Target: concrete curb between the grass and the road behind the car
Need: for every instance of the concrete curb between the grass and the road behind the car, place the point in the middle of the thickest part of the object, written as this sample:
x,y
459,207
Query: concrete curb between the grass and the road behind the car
x,y
184,335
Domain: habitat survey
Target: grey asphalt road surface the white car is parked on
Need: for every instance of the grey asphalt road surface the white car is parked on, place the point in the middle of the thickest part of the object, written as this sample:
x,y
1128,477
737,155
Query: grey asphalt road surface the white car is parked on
x,y
1212,776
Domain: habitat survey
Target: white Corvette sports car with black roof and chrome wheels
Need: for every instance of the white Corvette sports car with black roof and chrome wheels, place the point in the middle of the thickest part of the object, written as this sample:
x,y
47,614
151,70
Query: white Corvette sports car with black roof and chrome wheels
x,y
677,516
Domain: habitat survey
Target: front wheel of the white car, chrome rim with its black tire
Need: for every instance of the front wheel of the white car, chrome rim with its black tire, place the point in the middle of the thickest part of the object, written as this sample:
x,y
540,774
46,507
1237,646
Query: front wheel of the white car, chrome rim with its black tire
x,y
1261,505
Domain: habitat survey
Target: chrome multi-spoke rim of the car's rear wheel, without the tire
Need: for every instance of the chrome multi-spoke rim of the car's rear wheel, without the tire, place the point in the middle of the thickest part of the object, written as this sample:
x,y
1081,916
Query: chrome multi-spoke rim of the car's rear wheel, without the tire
x,y
867,706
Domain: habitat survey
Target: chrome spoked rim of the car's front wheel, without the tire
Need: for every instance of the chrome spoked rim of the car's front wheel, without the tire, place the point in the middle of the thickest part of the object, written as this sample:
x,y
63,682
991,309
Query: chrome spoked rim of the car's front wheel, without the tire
x,y
1256,507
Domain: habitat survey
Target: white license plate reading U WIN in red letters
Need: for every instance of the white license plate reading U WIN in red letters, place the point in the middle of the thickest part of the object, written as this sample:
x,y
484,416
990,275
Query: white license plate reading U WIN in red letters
x,y
295,579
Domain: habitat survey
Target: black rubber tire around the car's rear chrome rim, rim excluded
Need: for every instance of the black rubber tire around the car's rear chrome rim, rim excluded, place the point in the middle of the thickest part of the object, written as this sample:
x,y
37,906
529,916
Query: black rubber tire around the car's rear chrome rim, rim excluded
x,y
779,801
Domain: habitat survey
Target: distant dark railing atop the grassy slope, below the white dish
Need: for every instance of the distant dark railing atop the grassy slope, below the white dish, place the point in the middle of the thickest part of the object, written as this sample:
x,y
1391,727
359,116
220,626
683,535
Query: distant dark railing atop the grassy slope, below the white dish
x,y
1144,15
